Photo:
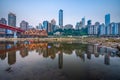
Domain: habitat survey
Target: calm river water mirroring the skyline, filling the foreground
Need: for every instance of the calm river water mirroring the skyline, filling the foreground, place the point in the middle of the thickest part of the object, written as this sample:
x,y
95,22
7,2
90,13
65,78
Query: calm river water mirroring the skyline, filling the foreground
x,y
58,61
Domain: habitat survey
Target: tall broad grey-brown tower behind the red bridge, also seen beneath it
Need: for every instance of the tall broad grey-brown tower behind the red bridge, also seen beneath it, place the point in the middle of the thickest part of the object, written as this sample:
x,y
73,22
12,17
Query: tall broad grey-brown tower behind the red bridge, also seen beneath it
x,y
11,22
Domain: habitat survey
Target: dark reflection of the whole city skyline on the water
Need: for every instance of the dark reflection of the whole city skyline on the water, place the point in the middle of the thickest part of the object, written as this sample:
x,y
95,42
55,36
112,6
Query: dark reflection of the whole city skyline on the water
x,y
49,50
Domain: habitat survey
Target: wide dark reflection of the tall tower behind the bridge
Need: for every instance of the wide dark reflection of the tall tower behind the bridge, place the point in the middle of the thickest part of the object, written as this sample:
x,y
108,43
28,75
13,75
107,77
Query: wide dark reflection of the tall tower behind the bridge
x,y
11,57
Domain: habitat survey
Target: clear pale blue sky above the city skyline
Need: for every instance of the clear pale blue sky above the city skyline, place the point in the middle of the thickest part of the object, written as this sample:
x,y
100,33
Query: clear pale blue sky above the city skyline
x,y
36,11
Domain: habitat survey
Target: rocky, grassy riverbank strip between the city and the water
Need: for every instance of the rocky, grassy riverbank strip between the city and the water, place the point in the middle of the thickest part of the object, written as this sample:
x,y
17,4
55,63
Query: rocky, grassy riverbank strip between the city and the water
x,y
108,42
